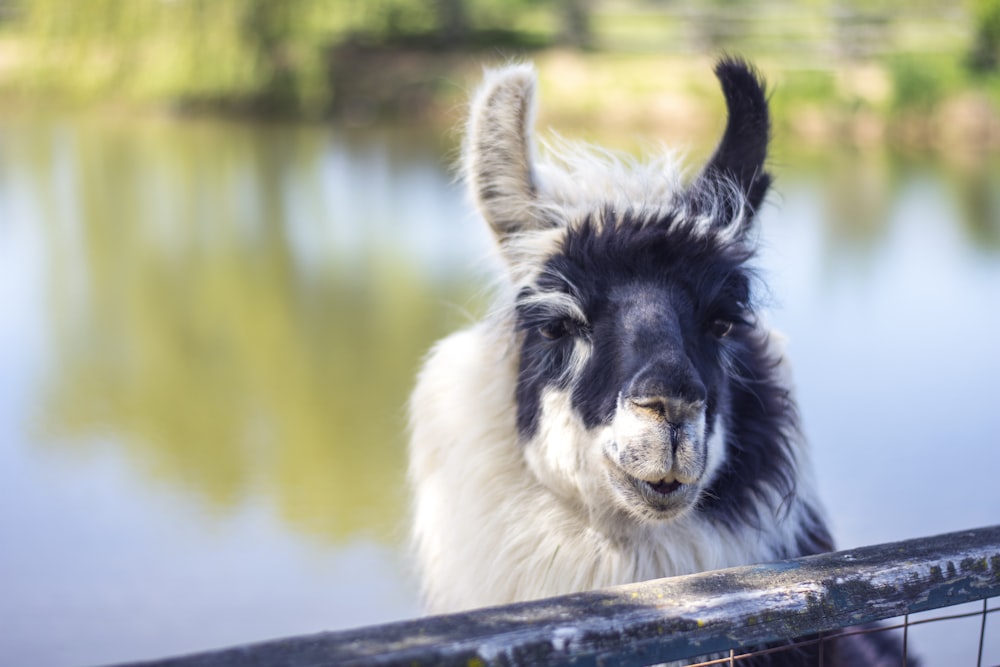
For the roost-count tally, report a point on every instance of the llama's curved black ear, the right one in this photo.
(738, 161)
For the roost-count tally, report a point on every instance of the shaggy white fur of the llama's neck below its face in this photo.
(488, 532)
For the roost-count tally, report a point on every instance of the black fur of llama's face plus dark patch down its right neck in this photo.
(655, 290)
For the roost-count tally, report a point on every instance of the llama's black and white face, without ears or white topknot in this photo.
(625, 336)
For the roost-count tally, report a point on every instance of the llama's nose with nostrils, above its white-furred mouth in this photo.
(666, 391)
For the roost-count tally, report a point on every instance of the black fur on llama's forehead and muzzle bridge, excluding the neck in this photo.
(646, 290)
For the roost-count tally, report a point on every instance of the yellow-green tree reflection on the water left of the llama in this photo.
(188, 328)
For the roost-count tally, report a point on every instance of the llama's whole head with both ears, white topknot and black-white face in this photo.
(632, 299)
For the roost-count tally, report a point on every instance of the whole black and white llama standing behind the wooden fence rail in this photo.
(623, 414)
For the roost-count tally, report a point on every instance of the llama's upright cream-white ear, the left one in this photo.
(497, 156)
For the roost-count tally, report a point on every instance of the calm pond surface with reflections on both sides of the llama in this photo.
(209, 332)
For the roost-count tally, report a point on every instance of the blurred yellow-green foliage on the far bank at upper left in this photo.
(251, 52)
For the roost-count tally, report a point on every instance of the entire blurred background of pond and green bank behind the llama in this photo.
(229, 230)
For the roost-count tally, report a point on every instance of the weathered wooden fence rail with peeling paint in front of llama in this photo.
(665, 619)
